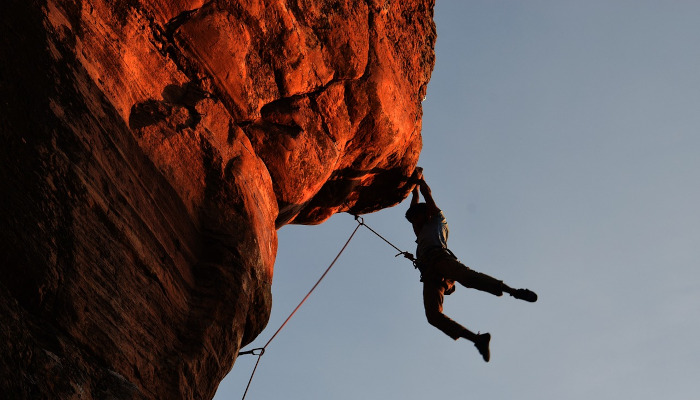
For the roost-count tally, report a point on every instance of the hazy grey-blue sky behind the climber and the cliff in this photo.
(561, 139)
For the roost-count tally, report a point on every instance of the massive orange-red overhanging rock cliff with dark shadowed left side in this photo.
(150, 150)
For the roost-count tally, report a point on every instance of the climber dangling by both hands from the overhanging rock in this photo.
(440, 268)
